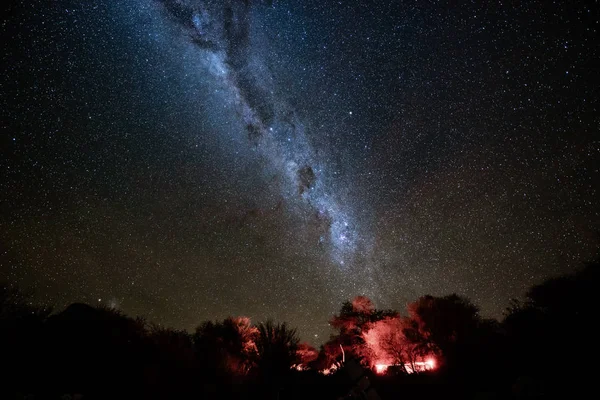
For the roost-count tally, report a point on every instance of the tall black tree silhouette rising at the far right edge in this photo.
(554, 329)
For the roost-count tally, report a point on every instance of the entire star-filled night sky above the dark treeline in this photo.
(189, 160)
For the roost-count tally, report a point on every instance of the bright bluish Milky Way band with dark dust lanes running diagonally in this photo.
(222, 30)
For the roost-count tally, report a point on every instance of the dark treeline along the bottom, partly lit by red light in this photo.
(546, 345)
